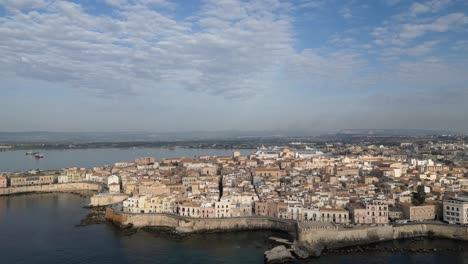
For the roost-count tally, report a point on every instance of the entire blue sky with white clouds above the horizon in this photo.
(214, 65)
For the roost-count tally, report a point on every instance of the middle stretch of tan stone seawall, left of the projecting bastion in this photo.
(188, 225)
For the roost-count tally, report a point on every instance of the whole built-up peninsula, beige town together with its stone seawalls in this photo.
(325, 197)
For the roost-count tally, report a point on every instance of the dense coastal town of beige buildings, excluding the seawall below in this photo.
(336, 184)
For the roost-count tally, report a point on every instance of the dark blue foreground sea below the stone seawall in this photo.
(41, 228)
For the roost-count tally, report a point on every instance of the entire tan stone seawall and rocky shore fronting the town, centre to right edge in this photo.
(308, 242)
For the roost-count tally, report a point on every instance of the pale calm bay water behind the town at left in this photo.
(17, 160)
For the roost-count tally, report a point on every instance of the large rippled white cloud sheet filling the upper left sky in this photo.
(239, 43)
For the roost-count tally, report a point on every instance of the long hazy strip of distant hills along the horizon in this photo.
(88, 137)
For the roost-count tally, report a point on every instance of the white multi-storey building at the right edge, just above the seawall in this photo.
(455, 210)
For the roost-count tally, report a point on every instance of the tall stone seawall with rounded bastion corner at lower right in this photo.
(314, 240)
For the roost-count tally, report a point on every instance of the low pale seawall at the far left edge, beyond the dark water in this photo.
(62, 187)
